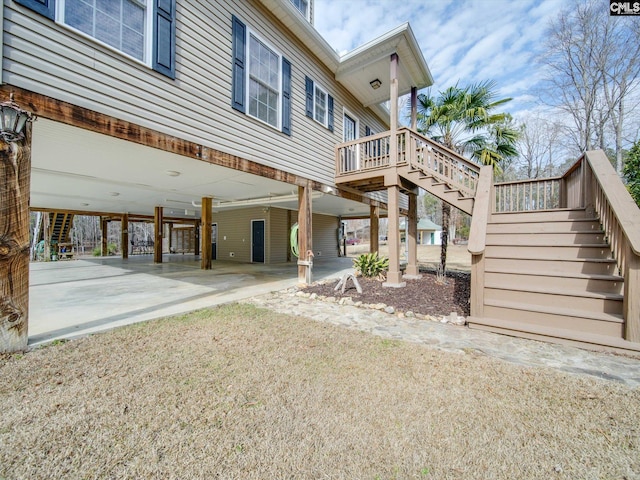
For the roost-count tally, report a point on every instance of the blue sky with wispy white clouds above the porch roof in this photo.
(464, 41)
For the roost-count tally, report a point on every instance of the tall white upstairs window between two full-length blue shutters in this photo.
(261, 79)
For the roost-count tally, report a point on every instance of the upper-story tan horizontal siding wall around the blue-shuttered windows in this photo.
(49, 59)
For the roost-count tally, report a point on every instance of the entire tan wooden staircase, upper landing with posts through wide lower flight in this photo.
(555, 259)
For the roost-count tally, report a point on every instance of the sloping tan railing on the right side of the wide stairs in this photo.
(602, 190)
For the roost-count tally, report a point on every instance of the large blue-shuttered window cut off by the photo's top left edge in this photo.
(141, 29)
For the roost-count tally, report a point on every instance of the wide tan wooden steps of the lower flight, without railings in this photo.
(554, 273)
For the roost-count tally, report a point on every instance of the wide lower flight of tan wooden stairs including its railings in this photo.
(558, 259)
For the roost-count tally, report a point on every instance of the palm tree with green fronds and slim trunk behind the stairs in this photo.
(465, 120)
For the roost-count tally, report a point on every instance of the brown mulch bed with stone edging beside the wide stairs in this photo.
(424, 296)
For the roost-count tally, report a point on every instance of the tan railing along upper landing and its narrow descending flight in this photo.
(420, 152)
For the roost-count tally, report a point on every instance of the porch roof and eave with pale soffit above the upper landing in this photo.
(356, 69)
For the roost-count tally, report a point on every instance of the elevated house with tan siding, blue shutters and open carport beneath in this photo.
(190, 113)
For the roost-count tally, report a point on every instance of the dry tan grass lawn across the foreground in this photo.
(241, 392)
